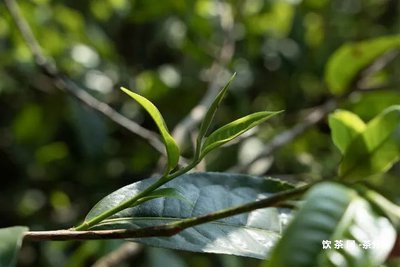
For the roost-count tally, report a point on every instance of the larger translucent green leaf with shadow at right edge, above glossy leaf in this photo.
(375, 149)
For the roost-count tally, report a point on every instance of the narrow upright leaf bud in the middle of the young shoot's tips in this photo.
(211, 113)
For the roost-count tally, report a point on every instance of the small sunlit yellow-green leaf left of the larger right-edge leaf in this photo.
(344, 125)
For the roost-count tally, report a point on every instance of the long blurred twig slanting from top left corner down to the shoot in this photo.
(67, 85)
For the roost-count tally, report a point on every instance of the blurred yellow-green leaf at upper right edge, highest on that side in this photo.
(344, 65)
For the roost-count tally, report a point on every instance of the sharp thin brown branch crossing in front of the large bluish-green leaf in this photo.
(166, 229)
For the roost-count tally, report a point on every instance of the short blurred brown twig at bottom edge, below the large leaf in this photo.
(128, 251)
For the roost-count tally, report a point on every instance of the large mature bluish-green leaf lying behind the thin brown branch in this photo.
(251, 234)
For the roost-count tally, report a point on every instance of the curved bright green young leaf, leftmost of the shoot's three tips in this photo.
(170, 144)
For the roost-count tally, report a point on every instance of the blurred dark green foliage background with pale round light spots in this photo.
(58, 157)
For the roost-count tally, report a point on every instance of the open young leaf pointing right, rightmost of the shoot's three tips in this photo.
(232, 130)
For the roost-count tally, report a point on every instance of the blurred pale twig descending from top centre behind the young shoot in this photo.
(195, 116)
